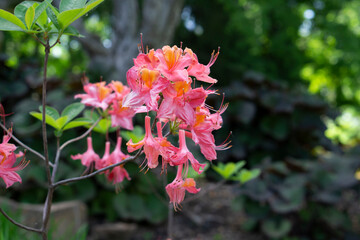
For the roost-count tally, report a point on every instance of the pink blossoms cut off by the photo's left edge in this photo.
(8, 159)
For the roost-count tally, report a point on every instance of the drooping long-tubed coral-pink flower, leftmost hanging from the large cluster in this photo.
(151, 146)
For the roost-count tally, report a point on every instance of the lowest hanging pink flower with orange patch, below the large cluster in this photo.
(176, 189)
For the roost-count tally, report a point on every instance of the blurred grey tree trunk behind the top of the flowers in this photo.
(156, 19)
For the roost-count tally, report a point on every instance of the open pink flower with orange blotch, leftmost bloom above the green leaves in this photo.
(97, 95)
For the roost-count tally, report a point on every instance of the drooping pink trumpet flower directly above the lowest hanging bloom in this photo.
(183, 155)
